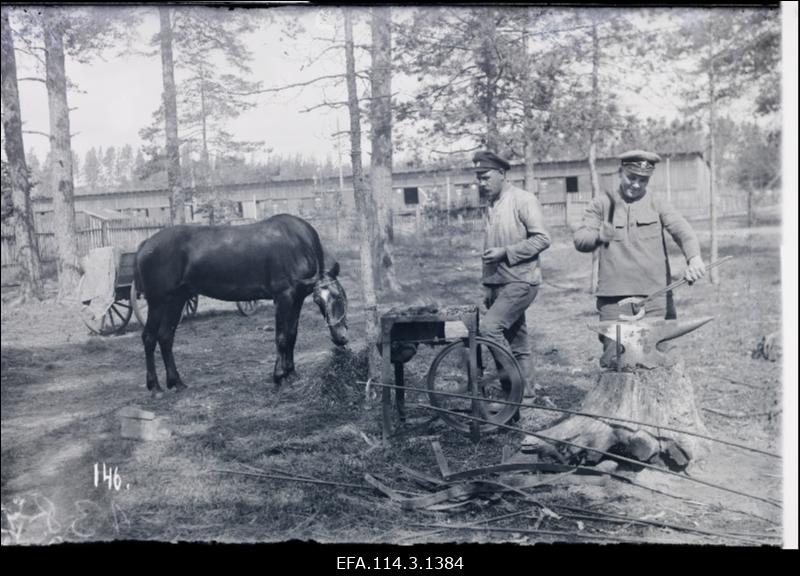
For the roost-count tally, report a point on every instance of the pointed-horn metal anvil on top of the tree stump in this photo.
(641, 341)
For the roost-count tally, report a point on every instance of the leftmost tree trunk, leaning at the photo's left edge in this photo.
(30, 269)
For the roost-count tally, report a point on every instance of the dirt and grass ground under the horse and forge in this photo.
(63, 389)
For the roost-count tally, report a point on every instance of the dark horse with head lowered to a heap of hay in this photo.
(279, 259)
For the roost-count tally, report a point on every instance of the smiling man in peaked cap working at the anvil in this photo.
(627, 228)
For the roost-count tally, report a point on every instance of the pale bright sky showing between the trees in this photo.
(117, 94)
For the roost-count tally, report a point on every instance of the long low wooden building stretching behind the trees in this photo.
(423, 201)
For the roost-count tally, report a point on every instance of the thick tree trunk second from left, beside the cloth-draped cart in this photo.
(61, 155)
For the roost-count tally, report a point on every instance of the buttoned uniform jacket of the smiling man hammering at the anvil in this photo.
(633, 263)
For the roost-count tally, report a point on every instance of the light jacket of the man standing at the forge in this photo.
(516, 223)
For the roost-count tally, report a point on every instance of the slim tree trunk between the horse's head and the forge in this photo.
(364, 204)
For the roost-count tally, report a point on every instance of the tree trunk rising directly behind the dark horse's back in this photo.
(177, 201)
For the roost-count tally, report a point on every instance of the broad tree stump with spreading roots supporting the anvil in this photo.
(661, 396)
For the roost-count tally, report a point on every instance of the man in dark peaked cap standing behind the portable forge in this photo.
(514, 237)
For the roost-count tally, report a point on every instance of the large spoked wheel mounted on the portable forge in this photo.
(498, 377)
